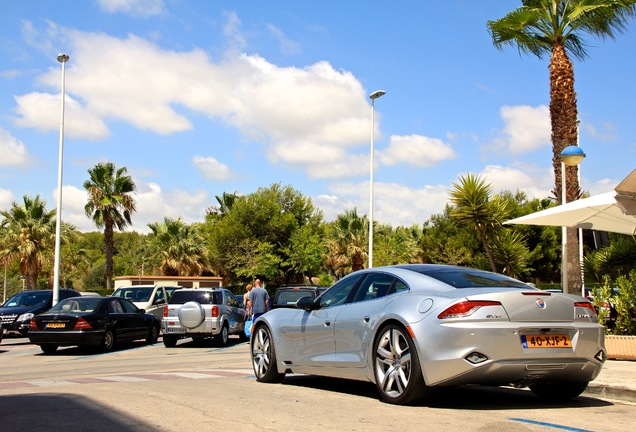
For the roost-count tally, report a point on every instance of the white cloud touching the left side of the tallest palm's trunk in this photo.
(526, 129)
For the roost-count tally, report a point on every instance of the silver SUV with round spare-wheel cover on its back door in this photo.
(202, 313)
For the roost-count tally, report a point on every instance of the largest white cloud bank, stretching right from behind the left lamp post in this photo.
(133, 80)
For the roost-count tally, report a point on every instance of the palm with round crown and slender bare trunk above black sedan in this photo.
(109, 204)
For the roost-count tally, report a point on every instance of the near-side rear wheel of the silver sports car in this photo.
(396, 366)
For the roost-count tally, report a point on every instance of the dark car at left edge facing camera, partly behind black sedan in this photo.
(17, 312)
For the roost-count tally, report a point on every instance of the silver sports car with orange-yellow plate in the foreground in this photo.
(411, 328)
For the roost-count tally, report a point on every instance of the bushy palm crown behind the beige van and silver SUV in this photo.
(180, 246)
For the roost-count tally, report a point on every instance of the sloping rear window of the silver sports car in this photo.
(470, 278)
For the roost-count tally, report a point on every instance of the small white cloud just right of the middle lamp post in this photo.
(416, 150)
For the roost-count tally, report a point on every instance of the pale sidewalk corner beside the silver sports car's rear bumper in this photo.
(617, 380)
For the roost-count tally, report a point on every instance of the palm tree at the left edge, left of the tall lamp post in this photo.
(29, 232)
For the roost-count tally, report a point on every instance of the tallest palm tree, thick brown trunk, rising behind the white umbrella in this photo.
(556, 27)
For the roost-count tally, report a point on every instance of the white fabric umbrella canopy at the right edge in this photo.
(612, 211)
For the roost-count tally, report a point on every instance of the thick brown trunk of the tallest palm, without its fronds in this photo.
(563, 117)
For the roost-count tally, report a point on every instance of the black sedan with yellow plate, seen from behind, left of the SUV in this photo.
(92, 322)
